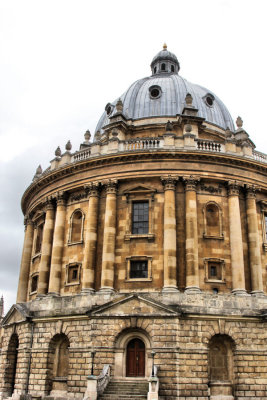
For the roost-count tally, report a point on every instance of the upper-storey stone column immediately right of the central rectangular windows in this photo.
(169, 244)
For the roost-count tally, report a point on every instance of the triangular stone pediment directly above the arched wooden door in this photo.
(133, 305)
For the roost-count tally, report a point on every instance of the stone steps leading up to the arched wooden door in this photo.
(125, 390)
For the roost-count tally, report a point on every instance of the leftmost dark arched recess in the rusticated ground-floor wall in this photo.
(10, 370)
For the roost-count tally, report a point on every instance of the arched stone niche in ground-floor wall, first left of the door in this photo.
(58, 363)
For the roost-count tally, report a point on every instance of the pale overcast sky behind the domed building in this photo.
(62, 61)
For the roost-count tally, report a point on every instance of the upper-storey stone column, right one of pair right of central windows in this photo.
(191, 233)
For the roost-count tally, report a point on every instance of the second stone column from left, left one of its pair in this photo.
(46, 248)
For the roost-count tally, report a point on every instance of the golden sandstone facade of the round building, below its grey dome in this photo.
(153, 235)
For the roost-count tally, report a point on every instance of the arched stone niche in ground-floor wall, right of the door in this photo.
(221, 369)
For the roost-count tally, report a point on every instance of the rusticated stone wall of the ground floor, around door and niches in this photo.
(177, 327)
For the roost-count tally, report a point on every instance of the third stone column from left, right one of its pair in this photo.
(58, 245)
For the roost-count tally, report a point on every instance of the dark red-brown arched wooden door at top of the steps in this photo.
(135, 358)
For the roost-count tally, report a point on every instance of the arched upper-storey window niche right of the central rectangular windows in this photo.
(212, 221)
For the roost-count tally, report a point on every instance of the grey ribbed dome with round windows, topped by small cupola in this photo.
(163, 94)
